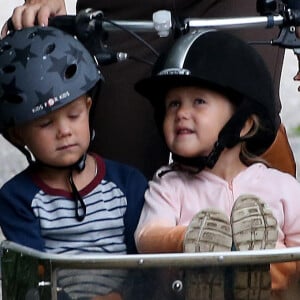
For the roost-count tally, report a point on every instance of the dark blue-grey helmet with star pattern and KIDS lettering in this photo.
(41, 70)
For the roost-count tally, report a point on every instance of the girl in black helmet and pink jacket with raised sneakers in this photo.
(213, 99)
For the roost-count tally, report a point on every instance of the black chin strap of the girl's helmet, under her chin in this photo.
(228, 137)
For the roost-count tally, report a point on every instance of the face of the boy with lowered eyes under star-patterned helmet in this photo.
(61, 137)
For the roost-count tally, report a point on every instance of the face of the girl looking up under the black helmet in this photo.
(194, 117)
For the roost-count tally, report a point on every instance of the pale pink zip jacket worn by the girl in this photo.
(176, 197)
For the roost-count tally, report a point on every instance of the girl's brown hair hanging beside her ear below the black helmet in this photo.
(246, 156)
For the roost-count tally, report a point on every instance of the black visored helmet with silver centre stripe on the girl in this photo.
(225, 63)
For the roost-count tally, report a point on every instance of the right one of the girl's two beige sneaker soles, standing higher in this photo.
(253, 228)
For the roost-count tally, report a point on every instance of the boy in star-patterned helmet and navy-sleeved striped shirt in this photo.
(68, 200)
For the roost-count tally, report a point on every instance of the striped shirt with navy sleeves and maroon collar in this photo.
(37, 216)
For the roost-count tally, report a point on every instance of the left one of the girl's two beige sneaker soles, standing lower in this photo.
(209, 231)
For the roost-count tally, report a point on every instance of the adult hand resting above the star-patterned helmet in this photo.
(35, 12)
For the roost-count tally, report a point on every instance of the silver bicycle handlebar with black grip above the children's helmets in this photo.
(91, 21)
